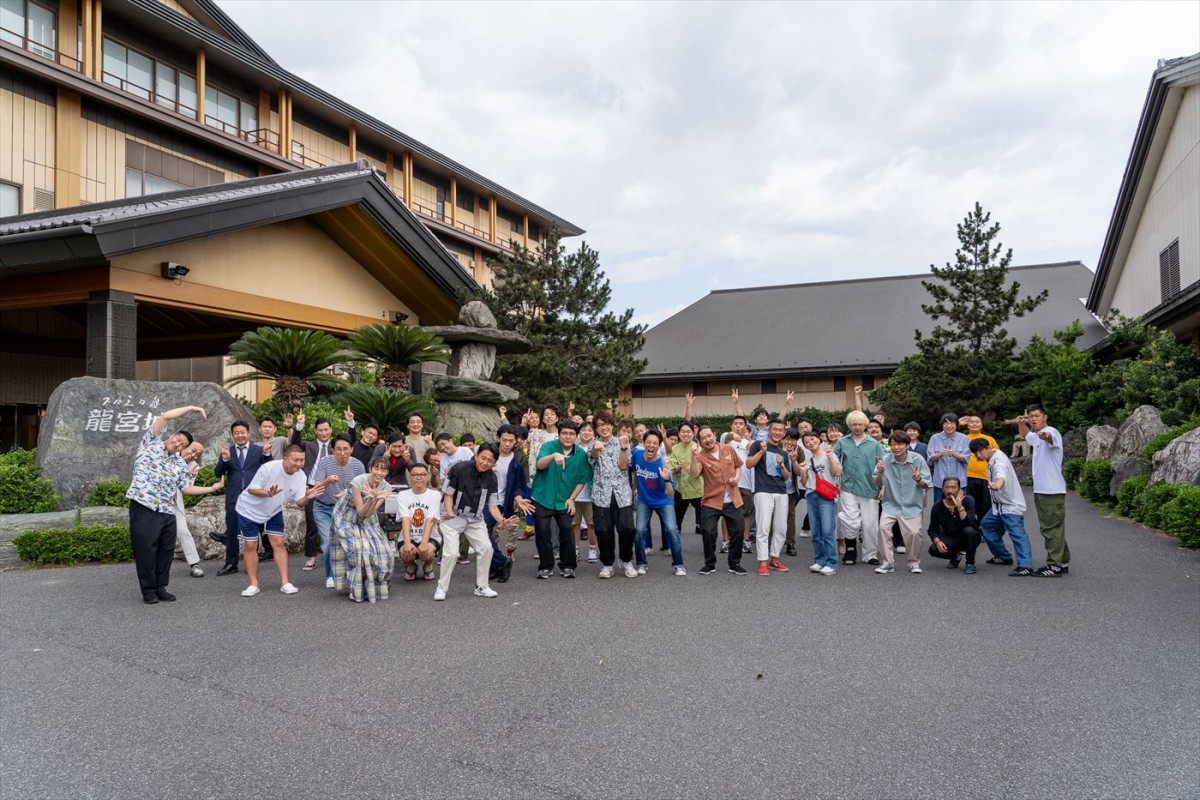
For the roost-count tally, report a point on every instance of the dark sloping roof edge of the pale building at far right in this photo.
(1159, 115)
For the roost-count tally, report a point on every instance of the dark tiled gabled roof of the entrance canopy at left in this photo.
(92, 234)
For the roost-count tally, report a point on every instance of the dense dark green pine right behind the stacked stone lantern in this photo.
(559, 300)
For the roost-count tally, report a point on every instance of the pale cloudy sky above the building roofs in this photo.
(710, 146)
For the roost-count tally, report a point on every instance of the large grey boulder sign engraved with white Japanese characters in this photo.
(93, 428)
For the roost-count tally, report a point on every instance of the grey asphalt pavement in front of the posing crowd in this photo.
(791, 687)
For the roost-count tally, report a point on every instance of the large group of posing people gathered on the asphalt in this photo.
(560, 478)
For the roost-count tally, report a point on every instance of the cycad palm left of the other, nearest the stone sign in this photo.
(291, 358)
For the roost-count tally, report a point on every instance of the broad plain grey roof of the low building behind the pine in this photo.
(837, 327)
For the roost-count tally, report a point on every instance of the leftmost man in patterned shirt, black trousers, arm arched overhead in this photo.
(159, 476)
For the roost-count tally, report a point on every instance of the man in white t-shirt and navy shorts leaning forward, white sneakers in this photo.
(261, 510)
